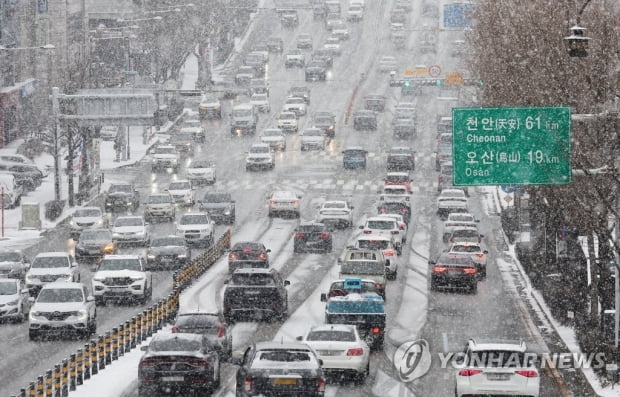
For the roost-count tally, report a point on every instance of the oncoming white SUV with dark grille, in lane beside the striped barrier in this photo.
(122, 277)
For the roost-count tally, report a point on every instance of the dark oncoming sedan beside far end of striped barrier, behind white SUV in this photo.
(169, 252)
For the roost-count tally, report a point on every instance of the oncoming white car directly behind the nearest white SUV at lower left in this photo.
(48, 267)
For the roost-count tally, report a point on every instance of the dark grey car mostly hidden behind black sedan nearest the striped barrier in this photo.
(211, 325)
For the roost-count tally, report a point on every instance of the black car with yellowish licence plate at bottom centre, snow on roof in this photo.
(279, 369)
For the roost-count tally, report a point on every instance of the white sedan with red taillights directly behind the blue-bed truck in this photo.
(341, 349)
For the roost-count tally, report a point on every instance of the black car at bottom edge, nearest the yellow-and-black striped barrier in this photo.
(184, 363)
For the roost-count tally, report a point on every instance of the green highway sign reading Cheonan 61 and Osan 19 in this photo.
(511, 146)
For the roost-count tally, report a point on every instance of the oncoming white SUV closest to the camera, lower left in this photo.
(63, 307)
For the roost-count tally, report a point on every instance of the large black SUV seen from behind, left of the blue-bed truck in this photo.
(260, 293)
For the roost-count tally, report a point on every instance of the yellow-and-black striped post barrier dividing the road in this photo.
(113, 344)
